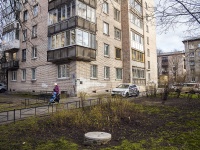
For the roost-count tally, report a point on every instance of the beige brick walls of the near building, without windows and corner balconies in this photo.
(79, 78)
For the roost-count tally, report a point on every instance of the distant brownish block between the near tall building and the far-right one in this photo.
(172, 65)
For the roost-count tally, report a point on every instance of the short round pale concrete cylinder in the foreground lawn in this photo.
(96, 138)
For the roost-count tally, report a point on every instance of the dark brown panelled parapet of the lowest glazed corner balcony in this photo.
(73, 53)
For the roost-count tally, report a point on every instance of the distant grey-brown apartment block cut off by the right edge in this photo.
(192, 59)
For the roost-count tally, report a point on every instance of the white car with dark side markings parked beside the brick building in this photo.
(126, 90)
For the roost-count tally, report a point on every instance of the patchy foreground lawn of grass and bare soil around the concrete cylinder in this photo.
(142, 123)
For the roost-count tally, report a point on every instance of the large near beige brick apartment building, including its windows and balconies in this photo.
(83, 45)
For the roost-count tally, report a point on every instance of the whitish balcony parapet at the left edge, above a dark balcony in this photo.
(11, 46)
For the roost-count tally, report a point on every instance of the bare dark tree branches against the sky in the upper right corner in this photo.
(171, 14)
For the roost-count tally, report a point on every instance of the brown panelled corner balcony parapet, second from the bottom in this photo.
(71, 23)
